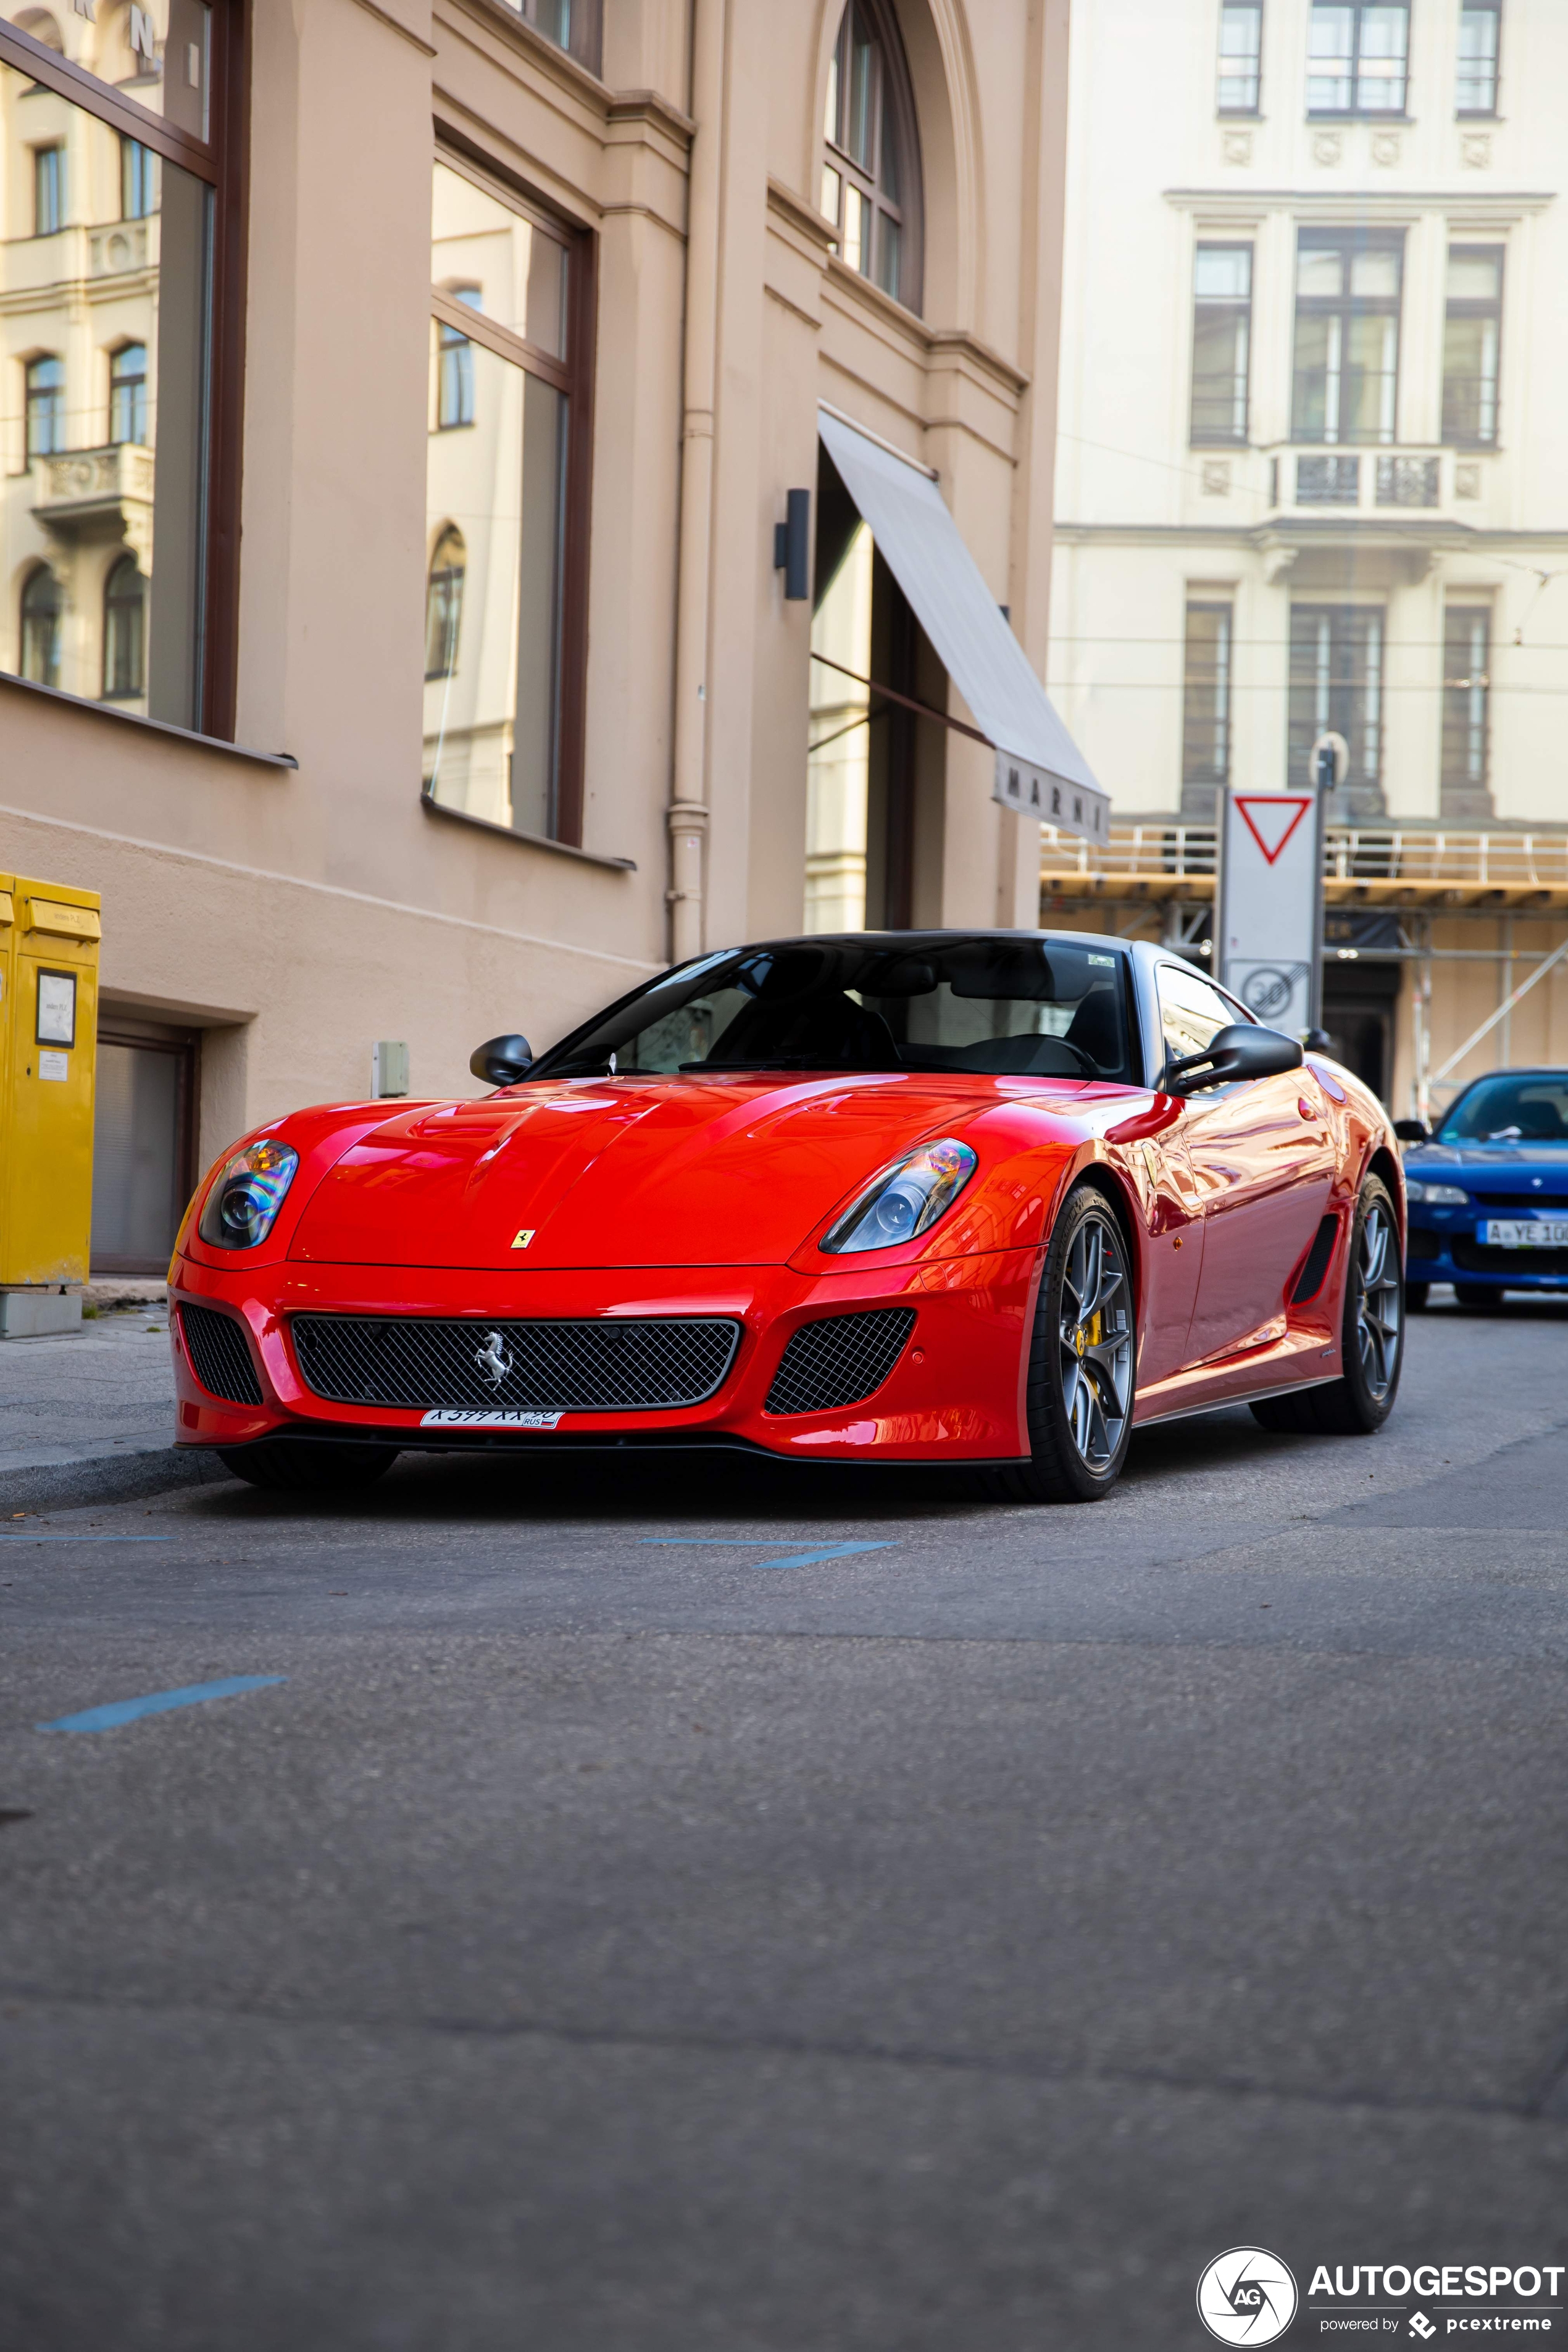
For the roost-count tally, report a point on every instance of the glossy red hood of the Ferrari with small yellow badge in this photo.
(624, 1172)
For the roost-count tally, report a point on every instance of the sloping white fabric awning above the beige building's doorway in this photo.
(1040, 770)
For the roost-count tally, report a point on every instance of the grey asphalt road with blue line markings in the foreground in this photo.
(612, 1932)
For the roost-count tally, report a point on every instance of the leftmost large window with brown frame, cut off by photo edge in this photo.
(130, 123)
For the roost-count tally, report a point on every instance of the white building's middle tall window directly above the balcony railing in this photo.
(1346, 338)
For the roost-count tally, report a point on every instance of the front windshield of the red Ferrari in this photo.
(1007, 1008)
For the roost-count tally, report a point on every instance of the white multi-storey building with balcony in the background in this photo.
(1311, 467)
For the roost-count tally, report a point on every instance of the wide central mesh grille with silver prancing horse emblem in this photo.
(556, 1368)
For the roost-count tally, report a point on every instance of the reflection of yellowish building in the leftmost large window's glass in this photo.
(105, 335)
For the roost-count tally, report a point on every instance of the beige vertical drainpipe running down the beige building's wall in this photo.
(688, 813)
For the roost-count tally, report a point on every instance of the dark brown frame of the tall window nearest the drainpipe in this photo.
(575, 377)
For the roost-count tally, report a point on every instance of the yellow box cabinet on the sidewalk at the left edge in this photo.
(48, 1060)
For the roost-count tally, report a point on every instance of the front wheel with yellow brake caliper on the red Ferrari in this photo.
(1083, 1361)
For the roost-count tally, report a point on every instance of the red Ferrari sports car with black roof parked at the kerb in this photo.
(977, 1198)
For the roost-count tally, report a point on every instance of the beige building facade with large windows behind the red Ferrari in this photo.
(398, 408)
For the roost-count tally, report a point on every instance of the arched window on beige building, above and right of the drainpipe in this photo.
(871, 171)
